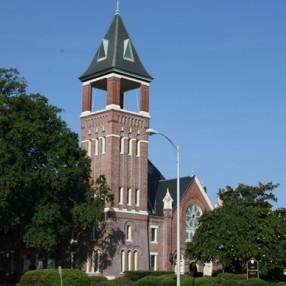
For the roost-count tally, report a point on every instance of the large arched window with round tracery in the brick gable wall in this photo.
(192, 216)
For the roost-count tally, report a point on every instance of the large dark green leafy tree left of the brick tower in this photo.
(44, 174)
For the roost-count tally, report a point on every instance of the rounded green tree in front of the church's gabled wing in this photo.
(245, 226)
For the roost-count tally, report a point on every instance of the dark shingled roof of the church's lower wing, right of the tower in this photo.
(157, 188)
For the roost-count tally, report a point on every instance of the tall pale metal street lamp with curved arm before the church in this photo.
(151, 132)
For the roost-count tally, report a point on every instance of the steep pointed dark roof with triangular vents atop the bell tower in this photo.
(116, 53)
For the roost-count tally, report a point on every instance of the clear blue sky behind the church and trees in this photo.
(219, 68)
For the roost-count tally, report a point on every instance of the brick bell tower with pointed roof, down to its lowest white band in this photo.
(115, 138)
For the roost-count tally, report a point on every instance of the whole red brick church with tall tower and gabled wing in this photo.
(141, 232)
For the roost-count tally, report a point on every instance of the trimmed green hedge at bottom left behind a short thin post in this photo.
(51, 277)
